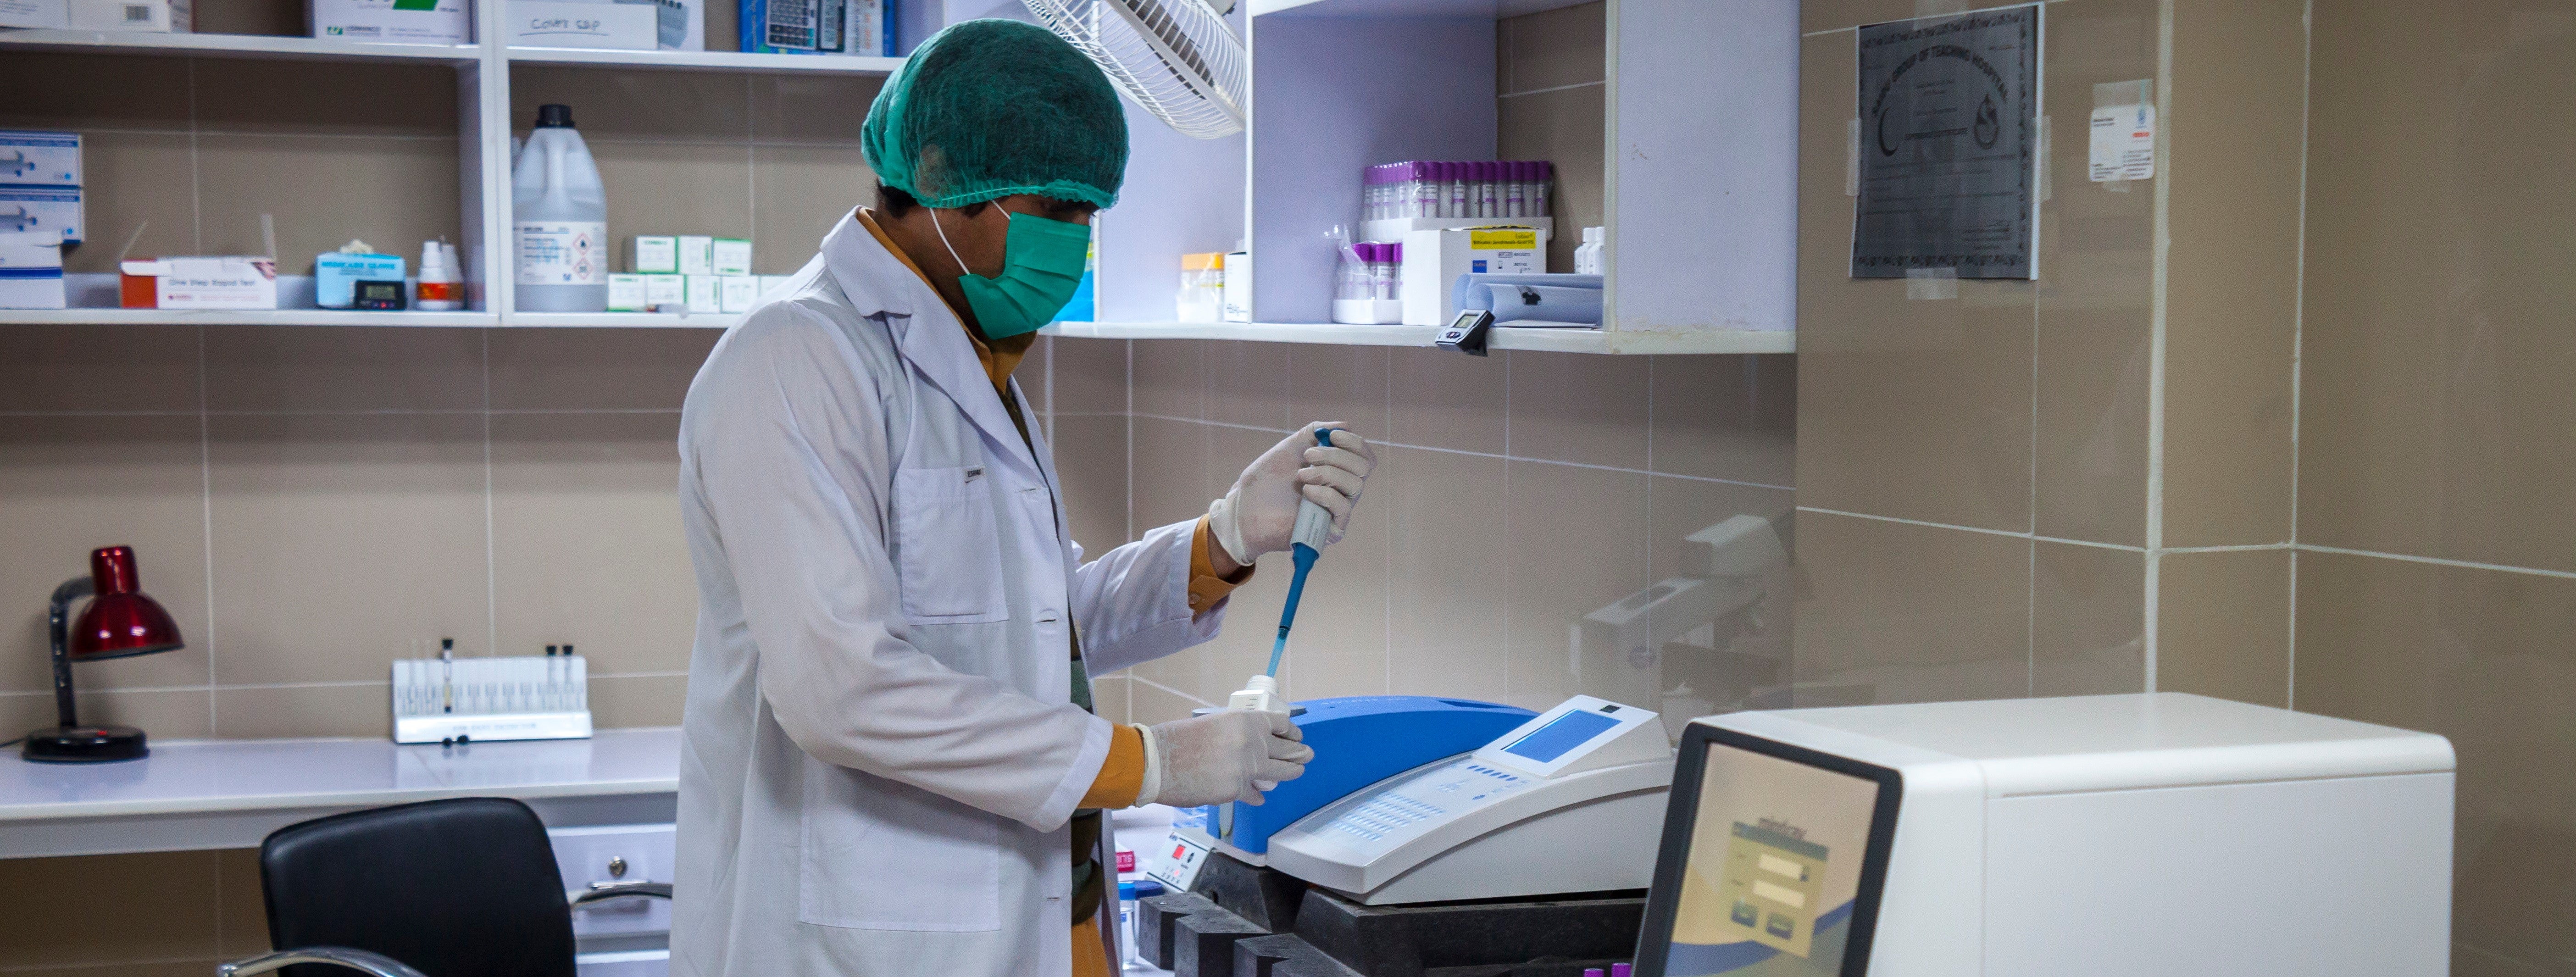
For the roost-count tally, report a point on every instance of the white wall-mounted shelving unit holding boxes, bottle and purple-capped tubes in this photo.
(1701, 166)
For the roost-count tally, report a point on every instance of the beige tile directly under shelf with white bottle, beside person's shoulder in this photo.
(596, 370)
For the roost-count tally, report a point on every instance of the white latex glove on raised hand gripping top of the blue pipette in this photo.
(1261, 509)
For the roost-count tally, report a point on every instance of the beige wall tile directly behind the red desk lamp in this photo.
(71, 486)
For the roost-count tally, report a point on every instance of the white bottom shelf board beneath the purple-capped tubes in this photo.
(1503, 339)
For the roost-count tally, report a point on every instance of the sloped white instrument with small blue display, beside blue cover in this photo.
(1565, 803)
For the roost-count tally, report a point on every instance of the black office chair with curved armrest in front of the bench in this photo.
(462, 888)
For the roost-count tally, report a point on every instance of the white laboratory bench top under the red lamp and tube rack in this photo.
(197, 795)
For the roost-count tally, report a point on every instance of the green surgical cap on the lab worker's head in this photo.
(988, 110)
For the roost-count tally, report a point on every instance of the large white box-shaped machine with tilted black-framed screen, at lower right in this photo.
(2103, 837)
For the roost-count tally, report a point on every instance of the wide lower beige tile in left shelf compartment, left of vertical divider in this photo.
(390, 192)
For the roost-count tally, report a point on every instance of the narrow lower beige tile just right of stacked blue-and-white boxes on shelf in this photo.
(135, 182)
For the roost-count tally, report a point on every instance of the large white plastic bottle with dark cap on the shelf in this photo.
(560, 220)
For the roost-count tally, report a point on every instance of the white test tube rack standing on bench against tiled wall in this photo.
(462, 700)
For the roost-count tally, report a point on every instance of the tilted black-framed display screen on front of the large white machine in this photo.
(1774, 862)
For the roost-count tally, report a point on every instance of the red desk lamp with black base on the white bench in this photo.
(120, 623)
